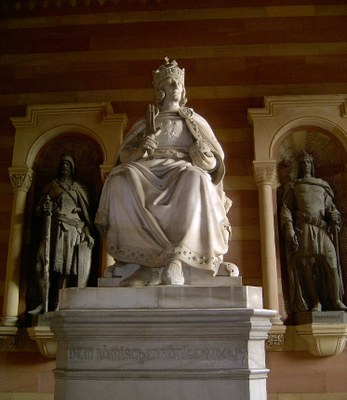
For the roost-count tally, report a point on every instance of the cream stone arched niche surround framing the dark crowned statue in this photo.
(285, 126)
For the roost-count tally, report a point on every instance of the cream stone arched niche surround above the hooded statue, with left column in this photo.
(41, 135)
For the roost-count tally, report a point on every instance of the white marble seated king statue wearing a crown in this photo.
(163, 205)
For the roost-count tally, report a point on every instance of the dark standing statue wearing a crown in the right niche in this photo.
(311, 223)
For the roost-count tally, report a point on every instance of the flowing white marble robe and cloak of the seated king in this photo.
(162, 207)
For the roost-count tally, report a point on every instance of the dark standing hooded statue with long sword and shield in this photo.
(64, 255)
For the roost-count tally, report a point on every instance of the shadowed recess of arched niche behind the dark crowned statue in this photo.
(330, 163)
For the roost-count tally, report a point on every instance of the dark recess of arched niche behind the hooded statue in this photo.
(88, 156)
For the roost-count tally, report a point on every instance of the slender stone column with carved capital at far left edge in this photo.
(21, 179)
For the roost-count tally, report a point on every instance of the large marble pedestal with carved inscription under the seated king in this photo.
(164, 342)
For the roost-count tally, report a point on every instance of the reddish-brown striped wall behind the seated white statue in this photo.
(234, 53)
